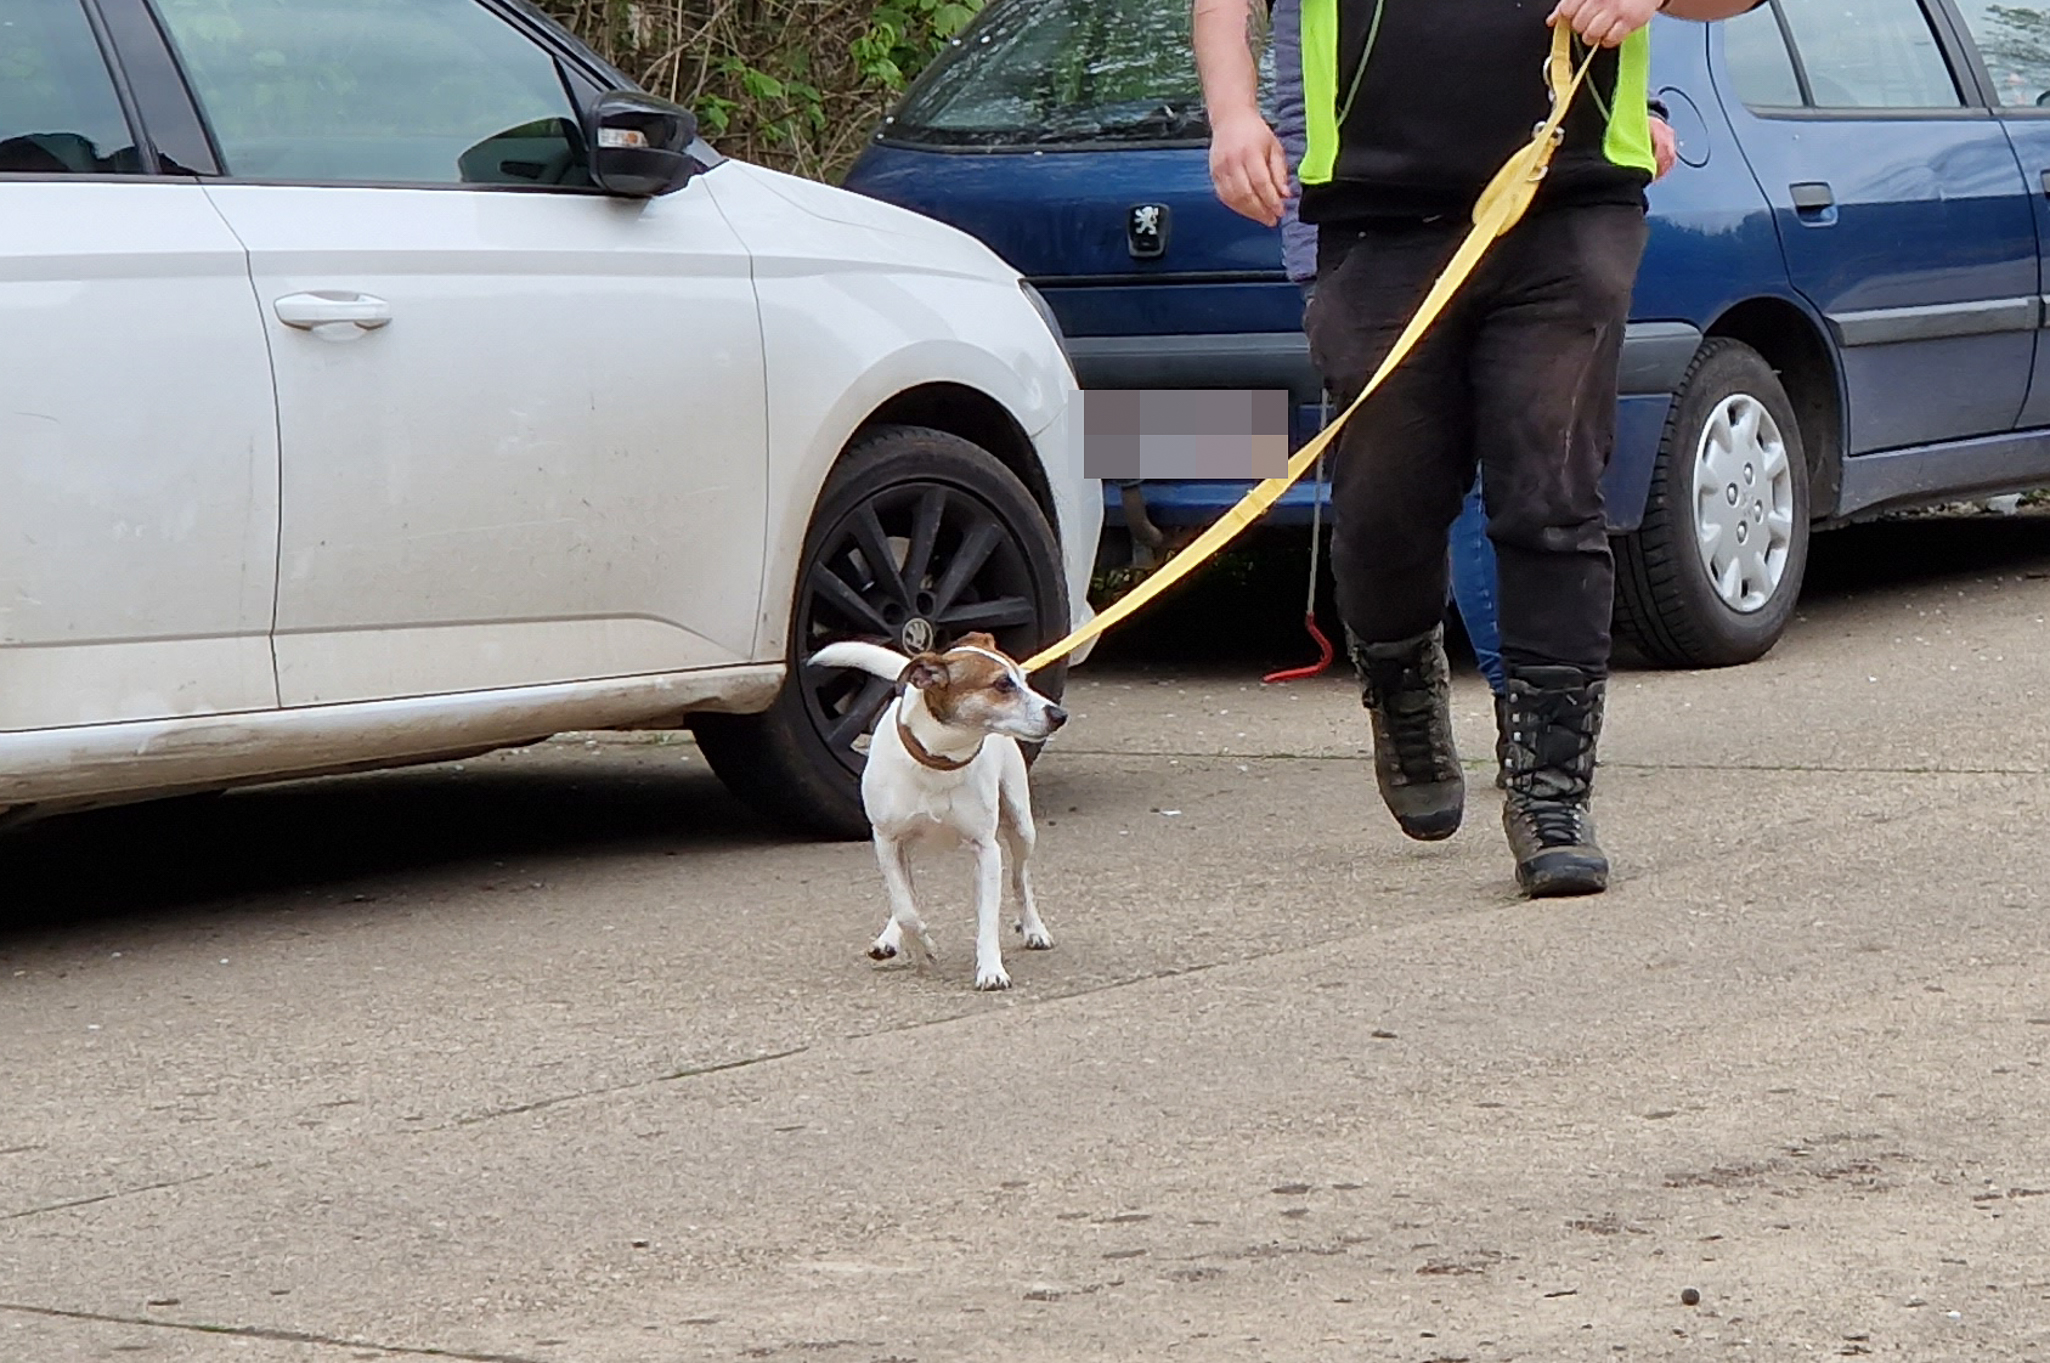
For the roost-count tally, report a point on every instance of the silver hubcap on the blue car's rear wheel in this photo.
(1744, 503)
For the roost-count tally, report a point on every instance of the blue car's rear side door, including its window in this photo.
(1901, 212)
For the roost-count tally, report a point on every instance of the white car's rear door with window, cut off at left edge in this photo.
(138, 436)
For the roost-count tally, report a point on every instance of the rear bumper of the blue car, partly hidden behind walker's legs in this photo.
(1655, 362)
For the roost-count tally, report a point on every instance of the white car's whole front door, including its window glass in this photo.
(522, 423)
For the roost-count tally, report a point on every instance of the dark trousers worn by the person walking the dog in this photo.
(1520, 378)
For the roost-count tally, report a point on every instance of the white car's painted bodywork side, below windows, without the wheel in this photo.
(565, 487)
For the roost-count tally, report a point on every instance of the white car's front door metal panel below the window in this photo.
(548, 464)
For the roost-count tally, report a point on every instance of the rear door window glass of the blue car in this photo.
(1871, 54)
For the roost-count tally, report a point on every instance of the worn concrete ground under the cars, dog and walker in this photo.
(559, 1057)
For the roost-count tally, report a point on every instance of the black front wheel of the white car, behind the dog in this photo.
(967, 550)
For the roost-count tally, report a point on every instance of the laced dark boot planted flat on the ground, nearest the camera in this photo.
(1551, 725)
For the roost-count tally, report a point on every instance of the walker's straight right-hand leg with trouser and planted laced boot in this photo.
(1545, 376)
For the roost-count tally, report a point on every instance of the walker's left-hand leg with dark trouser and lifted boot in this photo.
(1405, 462)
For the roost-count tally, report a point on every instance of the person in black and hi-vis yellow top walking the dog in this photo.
(1409, 110)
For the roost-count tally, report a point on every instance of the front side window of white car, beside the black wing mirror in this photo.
(378, 91)
